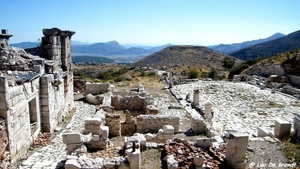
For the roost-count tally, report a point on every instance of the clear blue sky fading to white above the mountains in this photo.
(152, 22)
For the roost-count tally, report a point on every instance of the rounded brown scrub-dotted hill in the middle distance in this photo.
(197, 56)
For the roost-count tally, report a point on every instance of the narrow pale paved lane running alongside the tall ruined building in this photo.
(50, 157)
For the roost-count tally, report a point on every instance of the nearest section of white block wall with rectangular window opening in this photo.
(20, 108)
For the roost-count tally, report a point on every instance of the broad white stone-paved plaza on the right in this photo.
(242, 107)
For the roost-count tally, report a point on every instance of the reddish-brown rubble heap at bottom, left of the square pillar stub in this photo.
(187, 155)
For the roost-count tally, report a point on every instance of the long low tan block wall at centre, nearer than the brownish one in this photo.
(151, 124)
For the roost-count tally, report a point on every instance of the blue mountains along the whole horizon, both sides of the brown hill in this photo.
(269, 46)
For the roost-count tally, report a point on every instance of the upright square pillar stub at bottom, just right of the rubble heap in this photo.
(236, 150)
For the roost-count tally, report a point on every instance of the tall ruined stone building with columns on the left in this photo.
(36, 91)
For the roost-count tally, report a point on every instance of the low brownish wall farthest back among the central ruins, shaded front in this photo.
(128, 102)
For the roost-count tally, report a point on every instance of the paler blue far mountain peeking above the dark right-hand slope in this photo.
(229, 48)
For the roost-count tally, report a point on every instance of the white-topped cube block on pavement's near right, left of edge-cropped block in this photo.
(282, 128)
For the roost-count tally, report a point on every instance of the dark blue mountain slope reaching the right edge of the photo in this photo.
(270, 48)
